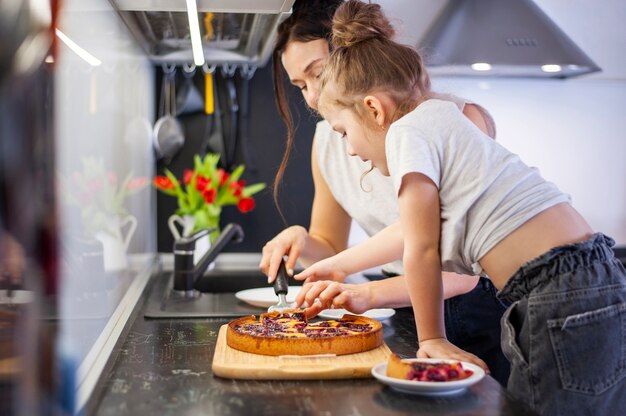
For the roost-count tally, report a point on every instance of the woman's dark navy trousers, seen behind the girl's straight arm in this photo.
(473, 324)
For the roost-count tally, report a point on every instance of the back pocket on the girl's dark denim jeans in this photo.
(590, 348)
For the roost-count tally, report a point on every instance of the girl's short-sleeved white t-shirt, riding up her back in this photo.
(485, 191)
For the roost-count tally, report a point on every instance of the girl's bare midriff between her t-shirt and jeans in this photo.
(556, 226)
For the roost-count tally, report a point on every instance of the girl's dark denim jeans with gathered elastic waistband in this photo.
(565, 331)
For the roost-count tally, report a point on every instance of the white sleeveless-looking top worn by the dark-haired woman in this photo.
(370, 201)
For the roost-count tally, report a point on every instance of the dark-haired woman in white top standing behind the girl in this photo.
(302, 48)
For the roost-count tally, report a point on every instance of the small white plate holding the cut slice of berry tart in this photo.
(430, 388)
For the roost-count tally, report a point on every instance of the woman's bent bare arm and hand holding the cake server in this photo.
(327, 235)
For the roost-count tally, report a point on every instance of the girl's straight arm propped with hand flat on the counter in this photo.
(420, 218)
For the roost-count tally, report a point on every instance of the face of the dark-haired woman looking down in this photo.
(304, 62)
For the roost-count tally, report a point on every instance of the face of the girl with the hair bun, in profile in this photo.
(363, 138)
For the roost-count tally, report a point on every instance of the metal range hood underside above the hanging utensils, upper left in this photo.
(234, 32)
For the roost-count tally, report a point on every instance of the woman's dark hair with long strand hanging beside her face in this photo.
(310, 20)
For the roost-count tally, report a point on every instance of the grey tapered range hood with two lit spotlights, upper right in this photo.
(500, 38)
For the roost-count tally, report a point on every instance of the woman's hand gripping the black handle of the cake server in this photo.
(289, 242)
